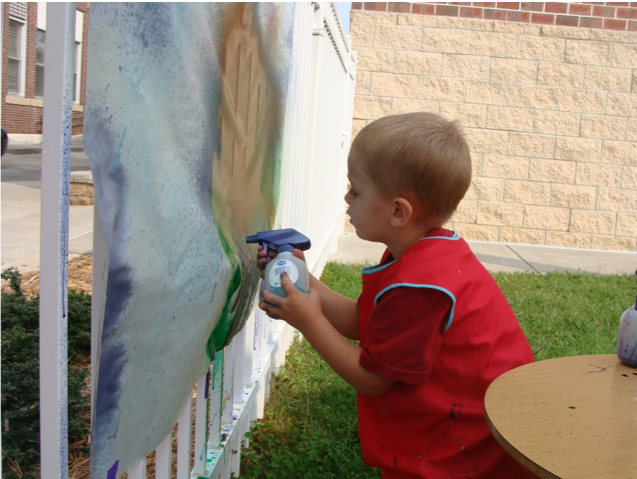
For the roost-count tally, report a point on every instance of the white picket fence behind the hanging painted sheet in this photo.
(230, 398)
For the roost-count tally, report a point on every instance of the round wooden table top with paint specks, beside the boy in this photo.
(568, 418)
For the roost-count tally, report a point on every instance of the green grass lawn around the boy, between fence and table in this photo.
(310, 429)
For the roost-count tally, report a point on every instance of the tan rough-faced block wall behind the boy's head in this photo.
(550, 113)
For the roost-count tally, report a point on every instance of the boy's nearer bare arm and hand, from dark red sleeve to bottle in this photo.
(303, 311)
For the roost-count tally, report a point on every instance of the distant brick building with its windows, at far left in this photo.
(24, 32)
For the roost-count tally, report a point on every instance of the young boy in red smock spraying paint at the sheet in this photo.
(434, 328)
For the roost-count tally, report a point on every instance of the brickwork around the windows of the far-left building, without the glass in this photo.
(26, 119)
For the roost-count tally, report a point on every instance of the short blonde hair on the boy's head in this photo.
(421, 154)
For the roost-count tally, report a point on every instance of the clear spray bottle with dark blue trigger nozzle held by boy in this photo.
(284, 242)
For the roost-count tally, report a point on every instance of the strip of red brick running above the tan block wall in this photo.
(620, 16)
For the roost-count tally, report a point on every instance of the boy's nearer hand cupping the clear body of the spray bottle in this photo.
(297, 309)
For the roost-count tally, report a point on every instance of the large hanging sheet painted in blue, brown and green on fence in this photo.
(183, 130)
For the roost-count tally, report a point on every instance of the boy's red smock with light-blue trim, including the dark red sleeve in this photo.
(431, 423)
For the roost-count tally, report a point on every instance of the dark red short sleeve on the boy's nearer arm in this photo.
(404, 333)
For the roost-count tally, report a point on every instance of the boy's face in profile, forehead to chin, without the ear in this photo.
(369, 212)
